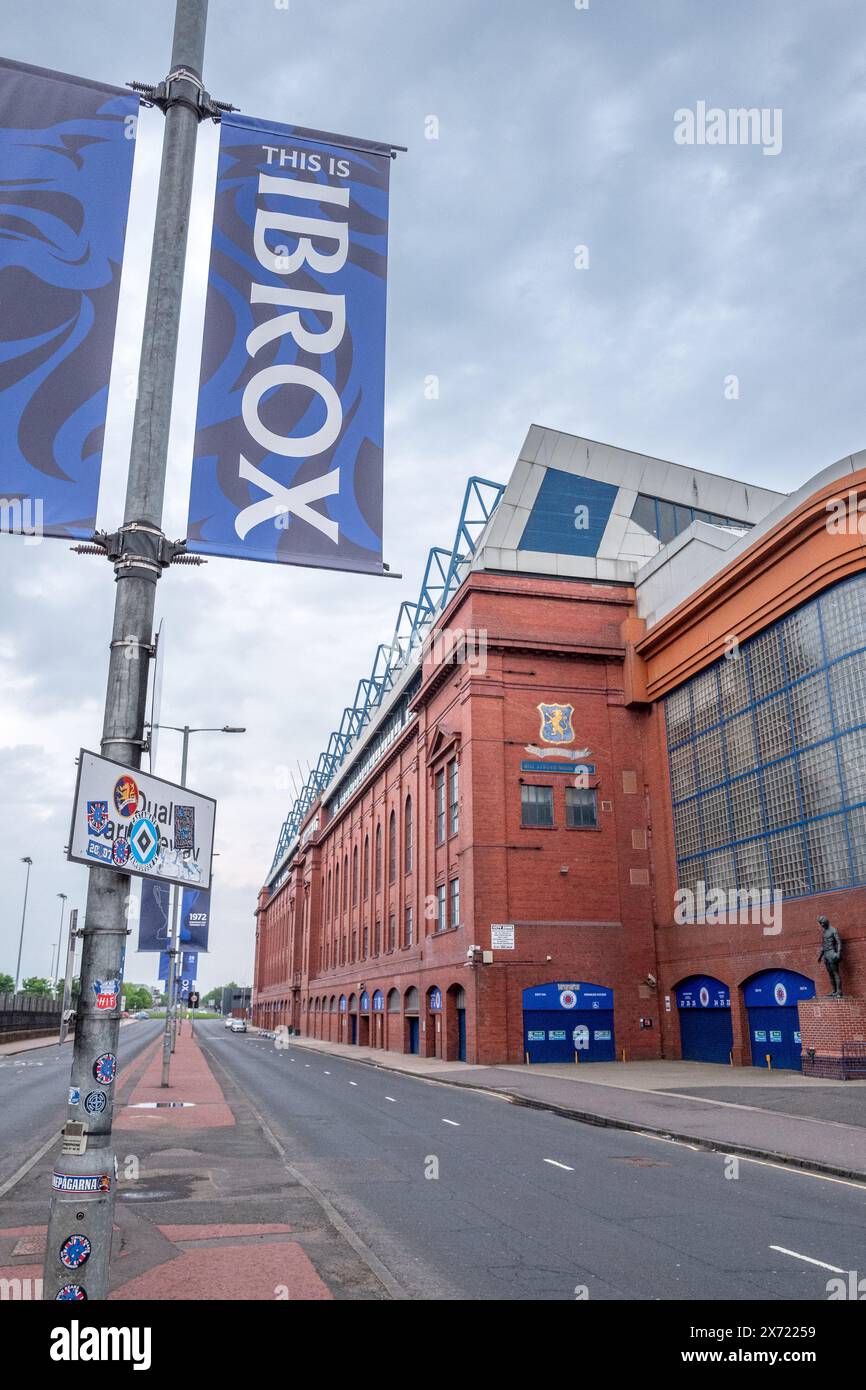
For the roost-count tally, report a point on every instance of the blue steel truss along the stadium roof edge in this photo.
(443, 576)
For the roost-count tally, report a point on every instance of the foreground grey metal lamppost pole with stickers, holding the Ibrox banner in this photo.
(84, 1185)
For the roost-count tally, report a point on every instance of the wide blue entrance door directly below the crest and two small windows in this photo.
(568, 1022)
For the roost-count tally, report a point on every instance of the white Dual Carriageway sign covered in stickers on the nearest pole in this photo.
(134, 824)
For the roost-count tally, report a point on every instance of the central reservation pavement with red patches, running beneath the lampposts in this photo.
(206, 1209)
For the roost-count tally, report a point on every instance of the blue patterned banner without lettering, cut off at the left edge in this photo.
(66, 169)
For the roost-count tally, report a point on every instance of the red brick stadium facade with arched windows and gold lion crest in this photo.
(379, 926)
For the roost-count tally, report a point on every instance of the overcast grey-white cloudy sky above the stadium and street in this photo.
(555, 131)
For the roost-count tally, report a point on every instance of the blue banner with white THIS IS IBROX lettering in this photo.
(288, 455)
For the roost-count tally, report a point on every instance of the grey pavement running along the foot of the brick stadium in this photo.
(779, 1117)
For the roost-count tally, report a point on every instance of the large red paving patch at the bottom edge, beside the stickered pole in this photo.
(241, 1274)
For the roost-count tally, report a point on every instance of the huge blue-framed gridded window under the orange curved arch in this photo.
(768, 757)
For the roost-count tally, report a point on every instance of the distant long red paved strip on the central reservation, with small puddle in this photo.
(193, 1081)
